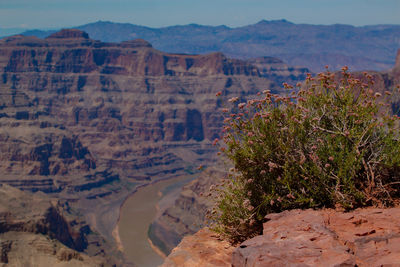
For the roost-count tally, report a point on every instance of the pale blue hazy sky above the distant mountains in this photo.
(158, 13)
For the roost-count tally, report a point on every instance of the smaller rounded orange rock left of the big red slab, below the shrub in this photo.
(202, 249)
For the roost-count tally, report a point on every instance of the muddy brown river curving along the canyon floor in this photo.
(136, 214)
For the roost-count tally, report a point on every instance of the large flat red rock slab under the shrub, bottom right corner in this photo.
(364, 237)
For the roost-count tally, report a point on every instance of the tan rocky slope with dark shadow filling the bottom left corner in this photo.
(38, 231)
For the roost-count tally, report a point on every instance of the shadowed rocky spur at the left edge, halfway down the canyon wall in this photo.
(42, 154)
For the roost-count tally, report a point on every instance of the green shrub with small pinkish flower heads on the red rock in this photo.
(332, 142)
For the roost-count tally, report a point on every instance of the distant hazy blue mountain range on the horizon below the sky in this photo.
(314, 46)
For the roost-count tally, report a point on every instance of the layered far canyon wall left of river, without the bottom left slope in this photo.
(88, 122)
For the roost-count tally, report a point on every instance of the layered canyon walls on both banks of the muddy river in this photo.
(84, 124)
